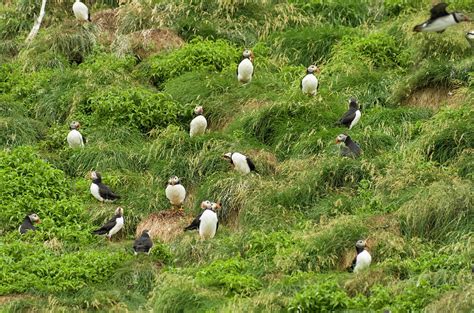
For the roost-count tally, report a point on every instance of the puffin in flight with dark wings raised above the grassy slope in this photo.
(440, 19)
